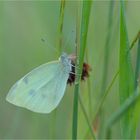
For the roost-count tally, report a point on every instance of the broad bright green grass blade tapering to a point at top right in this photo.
(126, 79)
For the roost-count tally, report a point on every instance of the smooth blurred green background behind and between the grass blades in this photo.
(22, 26)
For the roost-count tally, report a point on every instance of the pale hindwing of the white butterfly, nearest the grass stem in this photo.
(49, 95)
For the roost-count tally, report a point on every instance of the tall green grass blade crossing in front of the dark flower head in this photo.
(80, 58)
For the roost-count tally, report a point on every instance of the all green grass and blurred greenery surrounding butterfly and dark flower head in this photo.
(109, 101)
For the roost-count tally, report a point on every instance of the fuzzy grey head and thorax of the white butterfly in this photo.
(66, 61)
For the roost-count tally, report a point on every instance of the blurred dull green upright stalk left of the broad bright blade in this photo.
(106, 62)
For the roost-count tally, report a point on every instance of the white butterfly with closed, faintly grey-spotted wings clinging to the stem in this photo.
(42, 89)
